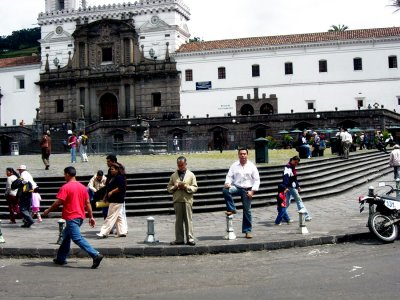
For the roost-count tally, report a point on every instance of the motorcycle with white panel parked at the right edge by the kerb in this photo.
(384, 213)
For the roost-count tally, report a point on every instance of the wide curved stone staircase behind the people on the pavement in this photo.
(147, 195)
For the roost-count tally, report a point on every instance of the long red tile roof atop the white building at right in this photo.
(290, 39)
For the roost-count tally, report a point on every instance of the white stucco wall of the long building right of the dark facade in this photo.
(340, 87)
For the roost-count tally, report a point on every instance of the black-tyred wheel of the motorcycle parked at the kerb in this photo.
(376, 224)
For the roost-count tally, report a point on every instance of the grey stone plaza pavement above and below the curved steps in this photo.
(335, 219)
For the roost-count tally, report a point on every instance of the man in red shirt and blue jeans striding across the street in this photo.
(73, 196)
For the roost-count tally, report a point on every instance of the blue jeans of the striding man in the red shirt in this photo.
(72, 232)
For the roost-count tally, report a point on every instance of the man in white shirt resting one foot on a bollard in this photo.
(242, 180)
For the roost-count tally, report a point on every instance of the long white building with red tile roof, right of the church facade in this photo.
(305, 72)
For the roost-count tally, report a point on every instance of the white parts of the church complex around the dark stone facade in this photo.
(326, 71)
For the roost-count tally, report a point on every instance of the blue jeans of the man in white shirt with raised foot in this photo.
(230, 205)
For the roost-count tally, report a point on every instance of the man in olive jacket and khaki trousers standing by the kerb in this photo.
(182, 185)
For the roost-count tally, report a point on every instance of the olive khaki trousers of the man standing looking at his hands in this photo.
(183, 216)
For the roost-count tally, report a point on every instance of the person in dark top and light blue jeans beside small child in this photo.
(290, 182)
